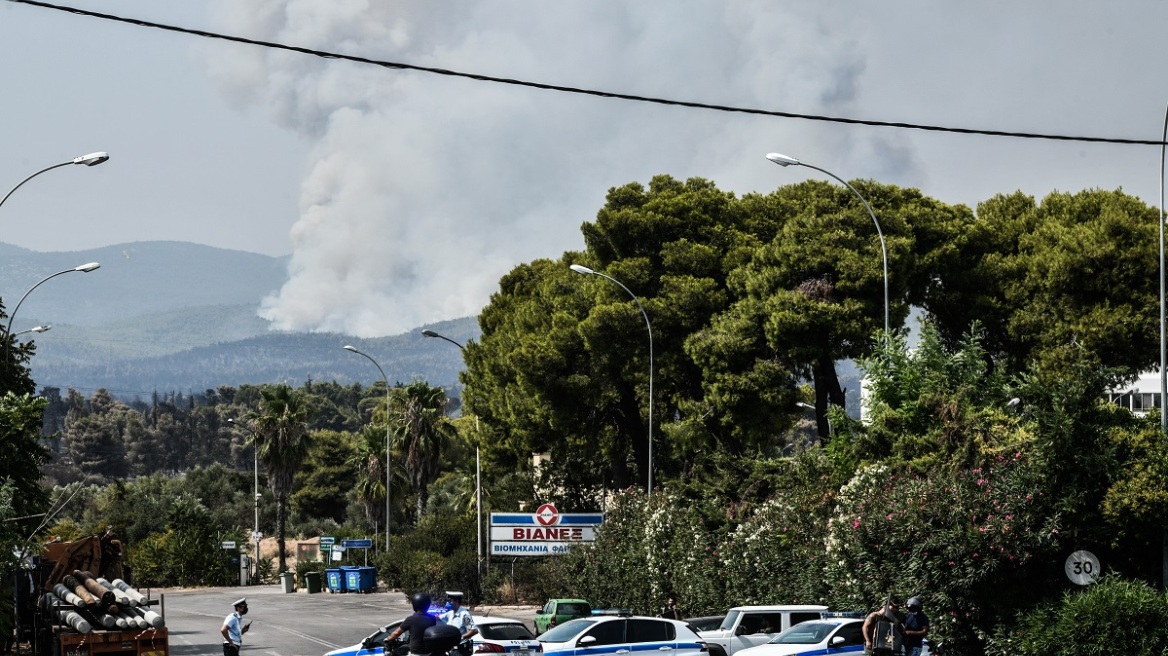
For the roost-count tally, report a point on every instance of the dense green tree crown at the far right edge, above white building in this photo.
(1076, 269)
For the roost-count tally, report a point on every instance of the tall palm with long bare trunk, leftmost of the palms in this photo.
(282, 435)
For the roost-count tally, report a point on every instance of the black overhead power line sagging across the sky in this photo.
(596, 93)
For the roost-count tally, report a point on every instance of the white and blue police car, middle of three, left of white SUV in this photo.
(622, 634)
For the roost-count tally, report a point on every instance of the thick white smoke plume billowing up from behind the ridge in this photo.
(425, 191)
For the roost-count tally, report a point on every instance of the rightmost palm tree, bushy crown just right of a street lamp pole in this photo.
(419, 421)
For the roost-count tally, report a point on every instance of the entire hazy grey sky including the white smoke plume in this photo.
(404, 197)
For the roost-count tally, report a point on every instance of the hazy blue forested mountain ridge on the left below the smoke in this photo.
(163, 317)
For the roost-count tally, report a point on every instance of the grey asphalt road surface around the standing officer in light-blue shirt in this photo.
(286, 624)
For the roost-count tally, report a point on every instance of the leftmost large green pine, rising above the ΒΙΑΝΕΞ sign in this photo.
(564, 364)
